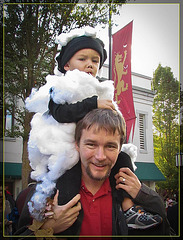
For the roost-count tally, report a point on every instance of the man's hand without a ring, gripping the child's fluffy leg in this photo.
(63, 216)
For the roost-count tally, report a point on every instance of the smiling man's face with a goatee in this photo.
(98, 153)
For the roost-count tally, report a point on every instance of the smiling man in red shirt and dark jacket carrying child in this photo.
(89, 198)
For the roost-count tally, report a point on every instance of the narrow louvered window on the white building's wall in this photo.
(142, 131)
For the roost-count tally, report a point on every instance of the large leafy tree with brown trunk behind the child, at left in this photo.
(29, 40)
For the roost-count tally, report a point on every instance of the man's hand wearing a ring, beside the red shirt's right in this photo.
(128, 181)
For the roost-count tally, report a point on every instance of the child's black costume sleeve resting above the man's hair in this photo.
(67, 113)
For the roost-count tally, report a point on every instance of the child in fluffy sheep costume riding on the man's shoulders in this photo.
(50, 151)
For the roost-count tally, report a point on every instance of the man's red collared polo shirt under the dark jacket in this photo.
(97, 210)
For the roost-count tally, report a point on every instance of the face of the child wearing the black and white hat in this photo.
(86, 60)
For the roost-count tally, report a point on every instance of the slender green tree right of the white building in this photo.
(165, 121)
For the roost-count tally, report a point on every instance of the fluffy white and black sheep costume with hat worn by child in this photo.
(65, 98)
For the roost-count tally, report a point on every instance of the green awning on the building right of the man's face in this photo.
(148, 172)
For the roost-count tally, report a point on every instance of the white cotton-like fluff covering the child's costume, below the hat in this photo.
(51, 144)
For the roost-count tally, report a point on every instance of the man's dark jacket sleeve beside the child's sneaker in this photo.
(152, 202)
